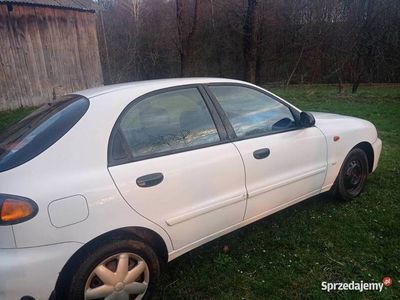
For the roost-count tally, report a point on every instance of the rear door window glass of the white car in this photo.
(168, 121)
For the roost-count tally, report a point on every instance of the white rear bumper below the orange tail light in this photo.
(33, 271)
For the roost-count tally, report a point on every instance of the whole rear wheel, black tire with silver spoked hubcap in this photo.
(122, 269)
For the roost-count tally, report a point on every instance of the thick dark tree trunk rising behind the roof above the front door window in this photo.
(250, 42)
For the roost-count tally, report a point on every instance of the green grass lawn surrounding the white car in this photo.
(288, 254)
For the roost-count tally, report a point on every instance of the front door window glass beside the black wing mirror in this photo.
(251, 112)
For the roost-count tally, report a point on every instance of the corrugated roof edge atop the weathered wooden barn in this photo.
(81, 5)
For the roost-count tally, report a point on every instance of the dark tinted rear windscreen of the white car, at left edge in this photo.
(38, 131)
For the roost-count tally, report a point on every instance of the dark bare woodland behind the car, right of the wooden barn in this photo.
(286, 41)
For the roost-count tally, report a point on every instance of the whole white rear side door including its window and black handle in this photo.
(170, 160)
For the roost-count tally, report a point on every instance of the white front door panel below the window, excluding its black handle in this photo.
(296, 166)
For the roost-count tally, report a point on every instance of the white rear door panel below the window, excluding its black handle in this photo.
(203, 191)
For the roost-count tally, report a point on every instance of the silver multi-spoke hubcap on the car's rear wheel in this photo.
(122, 276)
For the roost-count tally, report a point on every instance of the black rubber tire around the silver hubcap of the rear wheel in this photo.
(75, 288)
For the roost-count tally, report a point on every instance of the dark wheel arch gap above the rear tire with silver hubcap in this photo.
(148, 236)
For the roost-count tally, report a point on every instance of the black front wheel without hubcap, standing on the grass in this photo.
(352, 176)
